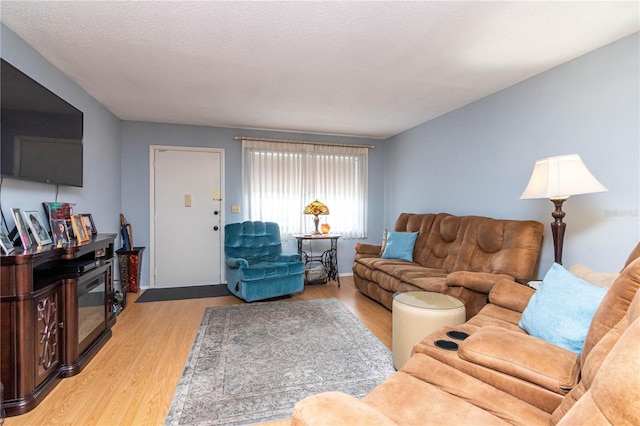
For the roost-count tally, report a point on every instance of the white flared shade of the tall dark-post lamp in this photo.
(561, 177)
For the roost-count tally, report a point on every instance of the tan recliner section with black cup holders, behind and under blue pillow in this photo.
(500, 353)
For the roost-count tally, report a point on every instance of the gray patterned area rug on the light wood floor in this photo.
(251, 363)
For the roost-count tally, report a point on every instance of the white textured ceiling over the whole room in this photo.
(371, 69)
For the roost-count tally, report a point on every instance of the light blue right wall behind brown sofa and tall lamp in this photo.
(478, 159)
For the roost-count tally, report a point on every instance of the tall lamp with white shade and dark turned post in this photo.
(557, 178)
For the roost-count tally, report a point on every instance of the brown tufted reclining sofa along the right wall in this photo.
(463, 256)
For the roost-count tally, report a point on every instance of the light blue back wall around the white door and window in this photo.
(138, 136)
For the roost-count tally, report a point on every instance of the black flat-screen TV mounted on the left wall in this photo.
(41, 133)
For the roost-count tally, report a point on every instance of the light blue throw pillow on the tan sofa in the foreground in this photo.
(562, 308)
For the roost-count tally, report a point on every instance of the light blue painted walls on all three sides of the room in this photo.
(475, 160)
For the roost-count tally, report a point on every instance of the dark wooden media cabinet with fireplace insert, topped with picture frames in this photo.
(56, 312)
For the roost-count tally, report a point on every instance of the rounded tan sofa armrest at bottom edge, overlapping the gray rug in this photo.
(336, 408)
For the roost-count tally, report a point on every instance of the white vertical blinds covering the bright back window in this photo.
(280, 179)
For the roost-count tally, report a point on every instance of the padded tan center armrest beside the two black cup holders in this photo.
(522, 356)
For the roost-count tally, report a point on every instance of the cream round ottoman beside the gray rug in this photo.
(415, 314)
